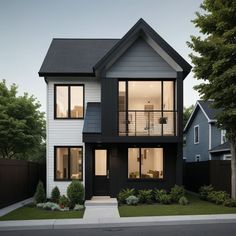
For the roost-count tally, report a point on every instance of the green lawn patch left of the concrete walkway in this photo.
(33, 213)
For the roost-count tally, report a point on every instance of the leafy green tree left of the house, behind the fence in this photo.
(22, 125)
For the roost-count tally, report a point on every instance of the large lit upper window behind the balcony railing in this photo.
(147, 108)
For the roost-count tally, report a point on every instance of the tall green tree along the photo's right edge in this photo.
(215, 64)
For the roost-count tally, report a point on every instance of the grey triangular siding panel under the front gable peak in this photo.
(141, 61)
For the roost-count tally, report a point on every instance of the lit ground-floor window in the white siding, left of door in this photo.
(68, 163)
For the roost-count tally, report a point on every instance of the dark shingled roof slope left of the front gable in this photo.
(74, 56)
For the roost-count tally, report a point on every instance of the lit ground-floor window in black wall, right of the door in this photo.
(145, 163)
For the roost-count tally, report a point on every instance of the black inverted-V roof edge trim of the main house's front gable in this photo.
(141, 28)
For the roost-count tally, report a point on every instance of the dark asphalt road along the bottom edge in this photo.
(218, 229)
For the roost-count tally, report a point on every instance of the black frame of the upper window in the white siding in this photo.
(69, 101)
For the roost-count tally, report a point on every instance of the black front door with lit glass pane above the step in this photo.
(101, 172)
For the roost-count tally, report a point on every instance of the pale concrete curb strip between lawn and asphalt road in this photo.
(120, 222)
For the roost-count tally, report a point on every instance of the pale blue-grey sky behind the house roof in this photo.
(28, 26)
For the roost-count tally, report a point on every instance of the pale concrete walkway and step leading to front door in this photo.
(101, 207)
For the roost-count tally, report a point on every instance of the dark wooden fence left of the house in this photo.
(18, 180)
